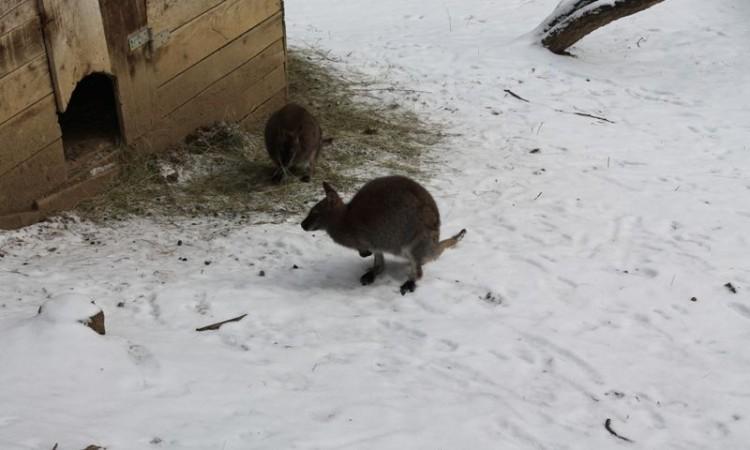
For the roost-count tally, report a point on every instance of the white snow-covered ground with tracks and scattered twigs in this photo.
(568, 302)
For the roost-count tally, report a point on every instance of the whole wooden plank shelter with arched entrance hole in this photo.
(80, 79)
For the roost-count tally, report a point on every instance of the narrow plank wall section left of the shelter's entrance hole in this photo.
(32, 161)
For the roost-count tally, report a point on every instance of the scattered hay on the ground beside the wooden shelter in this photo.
(223, 170)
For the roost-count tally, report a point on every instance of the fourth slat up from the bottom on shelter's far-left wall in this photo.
(22, 44)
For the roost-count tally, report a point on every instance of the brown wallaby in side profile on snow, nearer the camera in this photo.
(393, 215)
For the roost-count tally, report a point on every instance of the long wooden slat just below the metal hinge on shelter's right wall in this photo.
(209, 32)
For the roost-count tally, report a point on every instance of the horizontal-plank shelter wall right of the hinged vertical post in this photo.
(224, 64)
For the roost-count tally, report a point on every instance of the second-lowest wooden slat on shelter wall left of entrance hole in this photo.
(27, 133)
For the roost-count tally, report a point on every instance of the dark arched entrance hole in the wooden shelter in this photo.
(90, 125)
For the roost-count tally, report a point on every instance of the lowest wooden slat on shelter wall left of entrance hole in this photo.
(36, 177)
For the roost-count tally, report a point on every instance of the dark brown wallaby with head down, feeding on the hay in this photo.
(293, 140)
